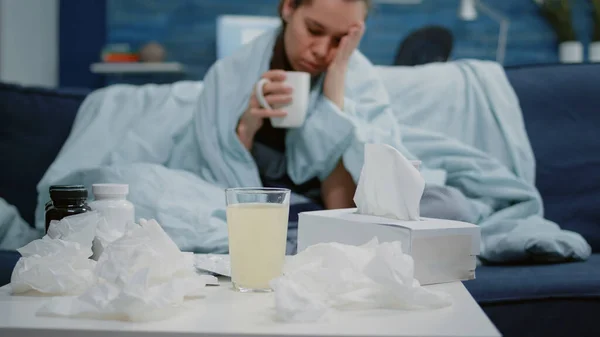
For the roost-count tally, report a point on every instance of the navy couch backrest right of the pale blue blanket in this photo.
(561, 108)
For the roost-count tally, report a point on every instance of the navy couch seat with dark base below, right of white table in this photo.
(541, 300)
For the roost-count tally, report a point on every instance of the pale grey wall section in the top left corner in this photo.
(29, 42)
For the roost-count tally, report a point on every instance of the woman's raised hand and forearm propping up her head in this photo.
(333, 87)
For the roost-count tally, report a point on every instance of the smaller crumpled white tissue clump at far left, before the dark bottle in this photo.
(58, 263)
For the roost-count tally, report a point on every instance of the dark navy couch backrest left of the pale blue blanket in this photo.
(35, 122)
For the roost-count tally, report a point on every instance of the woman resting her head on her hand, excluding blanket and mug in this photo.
(317, 37)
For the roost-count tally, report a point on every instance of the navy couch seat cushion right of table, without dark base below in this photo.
(494, 284)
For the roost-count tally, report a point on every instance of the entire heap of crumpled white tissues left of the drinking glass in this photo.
(140, 276)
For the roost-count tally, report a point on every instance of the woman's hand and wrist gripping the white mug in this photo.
(276, 93)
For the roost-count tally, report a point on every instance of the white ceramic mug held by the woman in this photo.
(296, 110)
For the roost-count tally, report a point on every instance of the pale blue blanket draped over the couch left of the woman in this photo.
(127, 134)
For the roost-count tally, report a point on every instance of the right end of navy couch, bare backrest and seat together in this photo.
(561, 108)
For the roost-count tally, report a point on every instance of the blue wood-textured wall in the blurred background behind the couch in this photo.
(188, 28)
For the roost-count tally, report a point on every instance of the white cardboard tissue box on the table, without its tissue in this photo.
(443, 250)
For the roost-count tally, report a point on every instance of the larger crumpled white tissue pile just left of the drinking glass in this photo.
(141, 276)
